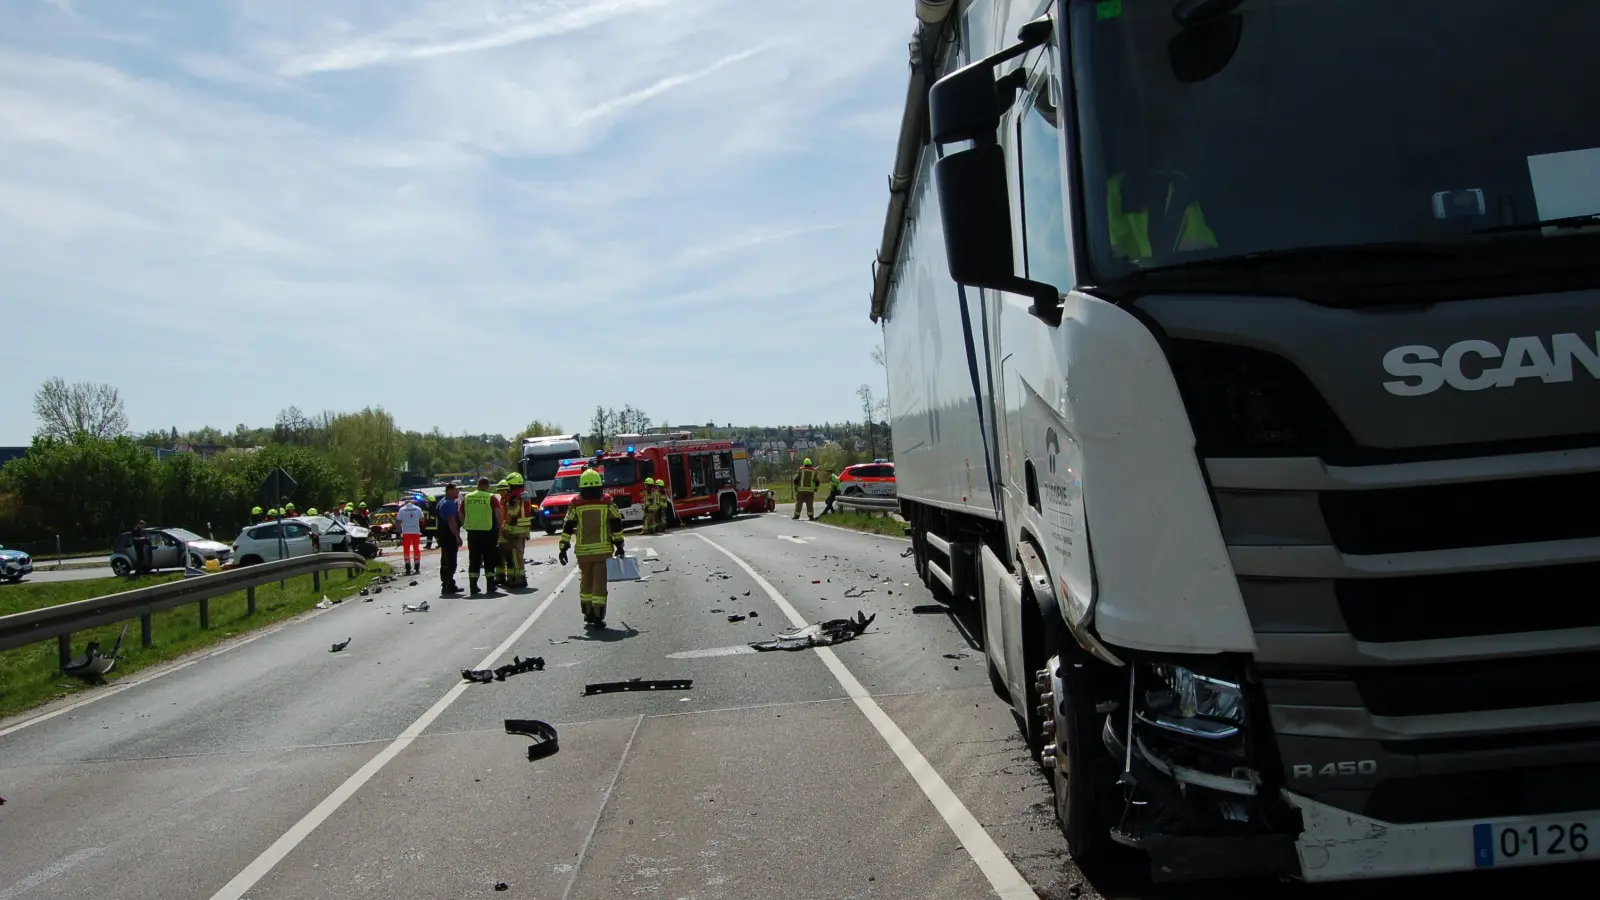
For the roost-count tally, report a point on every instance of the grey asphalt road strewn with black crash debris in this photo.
(278, 769)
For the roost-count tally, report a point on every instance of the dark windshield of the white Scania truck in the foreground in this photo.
(1335, 124)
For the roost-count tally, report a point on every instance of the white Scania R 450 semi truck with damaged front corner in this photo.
(1246, 371)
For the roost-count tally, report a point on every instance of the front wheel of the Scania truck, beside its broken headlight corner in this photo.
(1076, 761)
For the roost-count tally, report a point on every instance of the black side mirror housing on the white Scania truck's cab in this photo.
(975, 204)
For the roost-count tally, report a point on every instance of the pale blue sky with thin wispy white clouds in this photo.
(470, 212)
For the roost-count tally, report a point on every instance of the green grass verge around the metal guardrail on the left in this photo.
(30, 677)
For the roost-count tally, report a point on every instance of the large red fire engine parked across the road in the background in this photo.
(705, 478)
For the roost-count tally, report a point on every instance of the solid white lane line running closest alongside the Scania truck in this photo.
(1007, 883)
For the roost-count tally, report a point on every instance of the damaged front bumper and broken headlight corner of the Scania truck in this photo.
(1199, 806)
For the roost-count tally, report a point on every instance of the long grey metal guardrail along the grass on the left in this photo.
(60, 622)
